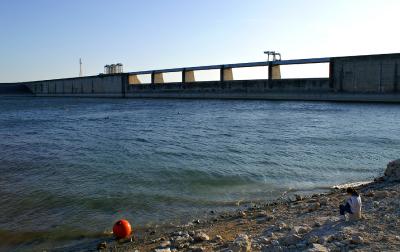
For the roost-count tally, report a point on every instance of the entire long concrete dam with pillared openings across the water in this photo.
(367, 78)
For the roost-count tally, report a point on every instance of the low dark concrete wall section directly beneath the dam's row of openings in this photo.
(239, 89)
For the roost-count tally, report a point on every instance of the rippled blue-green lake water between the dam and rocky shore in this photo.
(71, 167)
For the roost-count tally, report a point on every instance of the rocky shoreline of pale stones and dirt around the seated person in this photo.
(292, 224)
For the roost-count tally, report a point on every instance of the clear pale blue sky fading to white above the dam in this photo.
(44, 39)
